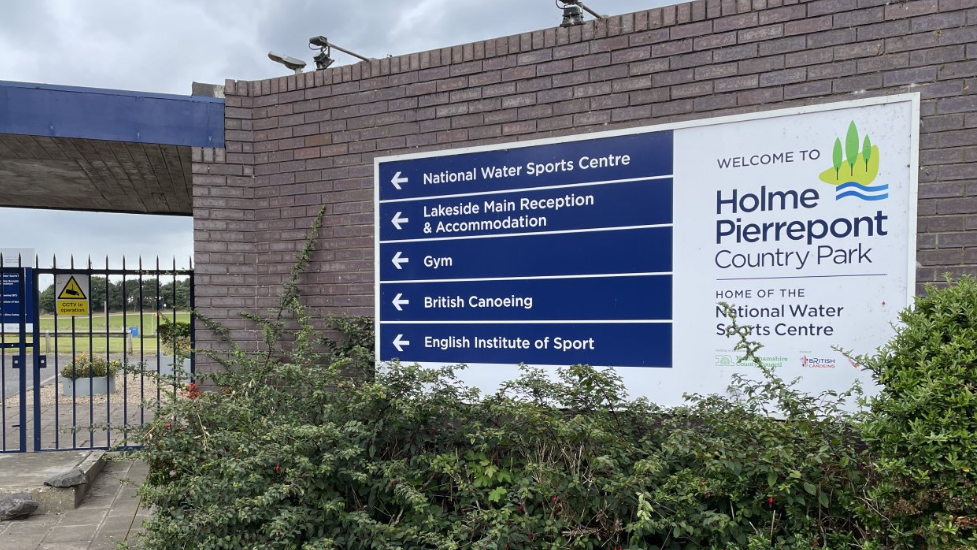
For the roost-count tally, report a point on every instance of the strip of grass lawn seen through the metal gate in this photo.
(82, 340)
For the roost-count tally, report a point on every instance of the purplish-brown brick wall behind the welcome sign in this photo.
(298, 142)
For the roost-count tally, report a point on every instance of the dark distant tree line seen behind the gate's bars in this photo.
(127, 296)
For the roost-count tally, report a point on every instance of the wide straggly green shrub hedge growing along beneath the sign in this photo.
(411, 458)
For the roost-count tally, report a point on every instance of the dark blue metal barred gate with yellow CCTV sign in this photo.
(89, 354)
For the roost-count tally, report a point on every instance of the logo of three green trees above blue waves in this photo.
(854, 166)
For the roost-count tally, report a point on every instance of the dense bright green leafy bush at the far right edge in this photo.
(922, 429)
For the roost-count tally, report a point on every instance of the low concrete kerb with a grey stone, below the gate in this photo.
(26, 472)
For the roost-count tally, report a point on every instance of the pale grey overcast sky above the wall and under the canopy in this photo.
(164, 45)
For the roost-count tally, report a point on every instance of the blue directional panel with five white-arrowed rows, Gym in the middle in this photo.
(545, 254)
